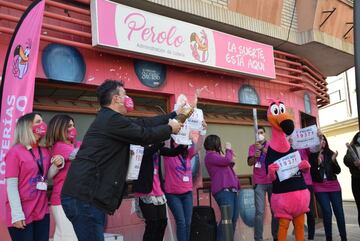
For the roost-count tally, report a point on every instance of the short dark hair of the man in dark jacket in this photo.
(107, 90)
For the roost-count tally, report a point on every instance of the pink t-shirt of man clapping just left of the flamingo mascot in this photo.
(259, 170)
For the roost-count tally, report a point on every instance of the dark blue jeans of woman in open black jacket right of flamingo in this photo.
(334, 199)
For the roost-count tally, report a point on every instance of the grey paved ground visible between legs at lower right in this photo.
(352, 227)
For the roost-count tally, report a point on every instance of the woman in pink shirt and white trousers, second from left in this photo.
(61, 140)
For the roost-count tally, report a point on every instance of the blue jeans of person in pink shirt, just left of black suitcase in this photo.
(181, 207)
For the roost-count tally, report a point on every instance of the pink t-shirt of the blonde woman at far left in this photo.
(21, 164)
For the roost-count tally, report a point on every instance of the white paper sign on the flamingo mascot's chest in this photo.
(288, 165)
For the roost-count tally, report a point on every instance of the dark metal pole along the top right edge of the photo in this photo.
(357, 54)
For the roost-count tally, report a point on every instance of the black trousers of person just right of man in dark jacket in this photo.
(155, 221)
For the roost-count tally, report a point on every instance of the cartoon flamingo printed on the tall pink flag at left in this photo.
(21, 59)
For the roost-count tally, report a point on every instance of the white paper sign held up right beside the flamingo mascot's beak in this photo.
(305, 138)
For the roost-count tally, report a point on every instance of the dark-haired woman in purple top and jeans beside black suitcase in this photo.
(224, 183)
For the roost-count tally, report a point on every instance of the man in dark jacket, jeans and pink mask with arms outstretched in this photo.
(96, 180)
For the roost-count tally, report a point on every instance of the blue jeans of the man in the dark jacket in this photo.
(88, 221)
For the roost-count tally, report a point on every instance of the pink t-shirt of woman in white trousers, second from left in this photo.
(63, 149)
